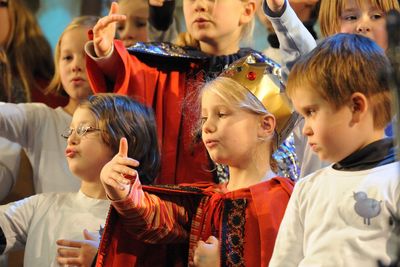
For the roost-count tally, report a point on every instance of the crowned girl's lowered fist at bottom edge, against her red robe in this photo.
(207, 253)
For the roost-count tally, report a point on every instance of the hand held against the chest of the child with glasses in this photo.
(78, 253)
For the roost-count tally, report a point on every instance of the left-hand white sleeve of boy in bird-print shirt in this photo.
(288, 250)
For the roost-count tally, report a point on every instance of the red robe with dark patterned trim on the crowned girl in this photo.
(246, 222)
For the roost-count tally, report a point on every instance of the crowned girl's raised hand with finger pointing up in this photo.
(116, 176)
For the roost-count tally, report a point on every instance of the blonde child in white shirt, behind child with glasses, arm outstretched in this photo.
(36, 127)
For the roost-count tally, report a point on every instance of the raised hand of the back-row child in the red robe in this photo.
(104, 31)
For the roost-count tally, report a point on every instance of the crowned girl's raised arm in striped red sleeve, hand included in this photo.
(144, 215)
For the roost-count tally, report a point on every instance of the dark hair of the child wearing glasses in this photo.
(120, 116)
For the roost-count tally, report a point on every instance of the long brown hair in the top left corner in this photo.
(27, 54)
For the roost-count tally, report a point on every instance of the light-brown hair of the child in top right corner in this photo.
(331, 11)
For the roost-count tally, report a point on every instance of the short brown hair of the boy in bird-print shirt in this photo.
(341, 65)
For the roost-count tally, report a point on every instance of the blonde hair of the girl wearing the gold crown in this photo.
(238, 96)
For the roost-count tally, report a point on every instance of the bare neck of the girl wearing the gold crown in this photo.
(243, 178)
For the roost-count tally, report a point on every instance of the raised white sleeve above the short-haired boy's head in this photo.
(294, 38)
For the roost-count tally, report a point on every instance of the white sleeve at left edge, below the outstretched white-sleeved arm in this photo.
(9, 165)
